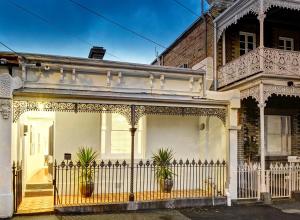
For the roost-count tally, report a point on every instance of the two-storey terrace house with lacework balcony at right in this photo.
(257, 45)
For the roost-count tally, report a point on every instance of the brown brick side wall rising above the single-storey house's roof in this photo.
(196, 43)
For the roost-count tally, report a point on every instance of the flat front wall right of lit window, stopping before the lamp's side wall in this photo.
(175, 132)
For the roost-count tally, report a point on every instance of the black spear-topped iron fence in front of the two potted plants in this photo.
(109, 182)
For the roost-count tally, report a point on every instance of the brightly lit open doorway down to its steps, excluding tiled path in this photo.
(38, 150)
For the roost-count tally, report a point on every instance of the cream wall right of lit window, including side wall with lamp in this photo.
(184, 136)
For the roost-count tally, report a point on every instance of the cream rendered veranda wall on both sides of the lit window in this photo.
(182, 134)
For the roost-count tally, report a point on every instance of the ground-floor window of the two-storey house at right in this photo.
(278, 135)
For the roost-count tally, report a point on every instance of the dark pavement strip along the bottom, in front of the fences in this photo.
(285, 210)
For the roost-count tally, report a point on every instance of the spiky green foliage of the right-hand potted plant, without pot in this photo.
(163, 159)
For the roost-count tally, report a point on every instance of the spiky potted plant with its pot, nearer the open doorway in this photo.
(86, 156)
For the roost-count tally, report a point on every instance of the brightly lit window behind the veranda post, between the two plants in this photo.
(116, 138)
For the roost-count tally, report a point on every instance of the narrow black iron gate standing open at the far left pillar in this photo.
(17, 184)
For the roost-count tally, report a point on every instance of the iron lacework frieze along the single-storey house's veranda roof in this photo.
(19, 107)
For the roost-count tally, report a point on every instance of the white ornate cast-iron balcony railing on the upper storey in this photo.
(269, 60)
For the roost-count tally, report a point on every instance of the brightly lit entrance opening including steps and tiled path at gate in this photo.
(34, 138)
